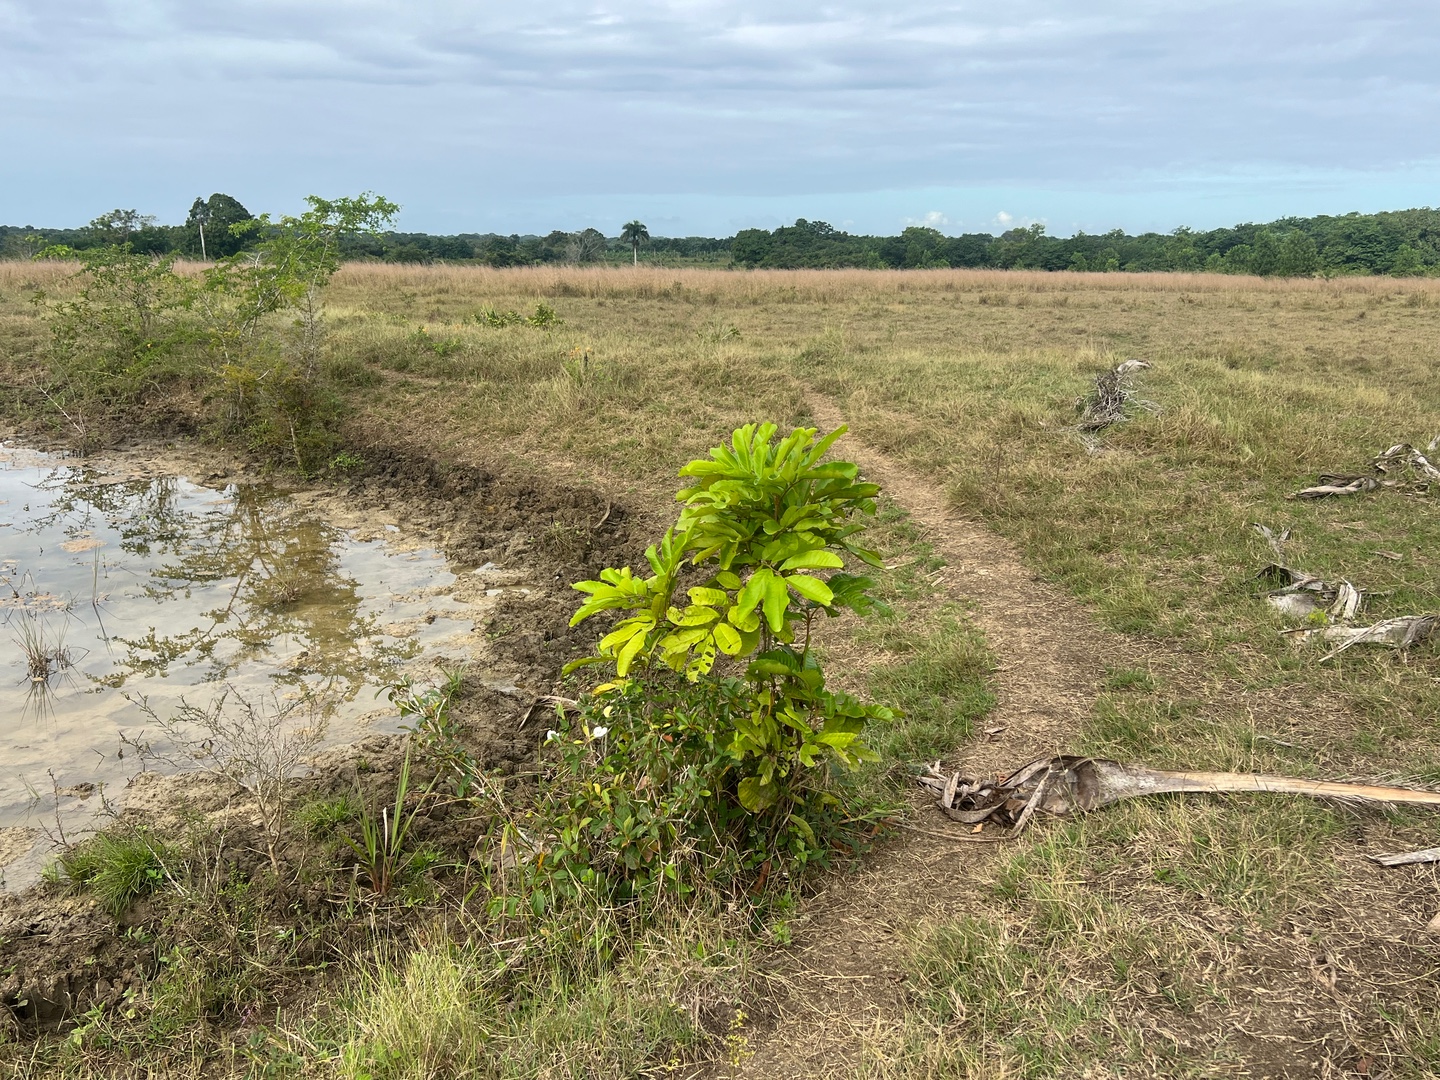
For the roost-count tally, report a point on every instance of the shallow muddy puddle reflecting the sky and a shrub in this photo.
(120, 588)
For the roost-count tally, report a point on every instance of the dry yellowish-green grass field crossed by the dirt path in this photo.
(1179, 938)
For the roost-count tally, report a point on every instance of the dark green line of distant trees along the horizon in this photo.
(1399, 243)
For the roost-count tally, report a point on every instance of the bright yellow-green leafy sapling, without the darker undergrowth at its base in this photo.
(764, 532)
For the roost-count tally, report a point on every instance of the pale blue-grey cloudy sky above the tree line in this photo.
(702, 117)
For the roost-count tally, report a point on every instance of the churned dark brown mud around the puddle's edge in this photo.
(64, 954)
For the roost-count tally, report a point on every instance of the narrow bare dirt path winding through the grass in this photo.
(843, 978)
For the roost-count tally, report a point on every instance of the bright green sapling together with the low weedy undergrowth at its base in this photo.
(712, 745)
